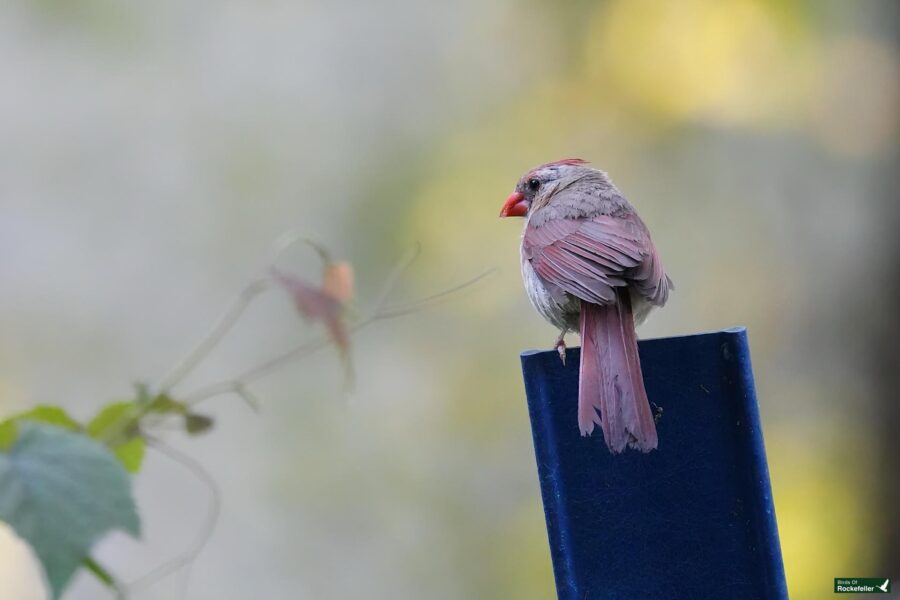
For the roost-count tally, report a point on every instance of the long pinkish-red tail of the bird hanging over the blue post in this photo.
(610, 379)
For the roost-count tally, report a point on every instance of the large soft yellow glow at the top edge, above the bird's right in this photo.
(733, 62)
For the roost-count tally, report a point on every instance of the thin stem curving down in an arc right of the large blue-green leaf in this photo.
(209, 523)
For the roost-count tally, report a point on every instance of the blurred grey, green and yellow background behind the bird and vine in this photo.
(153, 151)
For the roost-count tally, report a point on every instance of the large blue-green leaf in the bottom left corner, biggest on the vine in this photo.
(61, 492)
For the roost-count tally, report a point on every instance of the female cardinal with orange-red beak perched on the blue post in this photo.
(589, 265)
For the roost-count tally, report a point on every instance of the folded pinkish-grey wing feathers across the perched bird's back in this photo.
(587, 258)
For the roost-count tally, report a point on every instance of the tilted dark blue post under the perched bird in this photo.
(693, 519)
